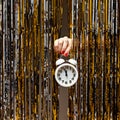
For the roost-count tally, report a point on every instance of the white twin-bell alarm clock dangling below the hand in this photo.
(66, 73)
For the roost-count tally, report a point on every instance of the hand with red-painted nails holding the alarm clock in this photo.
(63, 45)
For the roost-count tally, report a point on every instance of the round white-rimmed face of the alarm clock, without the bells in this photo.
(66, 75)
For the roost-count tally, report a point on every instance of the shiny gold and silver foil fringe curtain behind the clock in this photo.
(28, 90)
